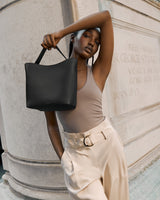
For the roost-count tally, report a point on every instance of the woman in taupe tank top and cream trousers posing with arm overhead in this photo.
(93, 158)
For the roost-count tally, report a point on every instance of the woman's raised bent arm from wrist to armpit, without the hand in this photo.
(104, 22)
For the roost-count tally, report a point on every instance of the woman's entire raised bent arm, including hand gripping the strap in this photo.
(104, 22)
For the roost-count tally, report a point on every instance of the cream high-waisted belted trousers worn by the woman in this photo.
(94, 164)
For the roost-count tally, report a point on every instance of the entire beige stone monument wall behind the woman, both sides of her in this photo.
(131, 96)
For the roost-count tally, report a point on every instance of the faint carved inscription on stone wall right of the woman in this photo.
(141, 65)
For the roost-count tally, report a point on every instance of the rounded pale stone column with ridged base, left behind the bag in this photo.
(32, 166)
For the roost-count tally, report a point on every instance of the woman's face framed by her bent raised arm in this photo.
(86, 43)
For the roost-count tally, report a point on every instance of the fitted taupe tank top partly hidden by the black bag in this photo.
(88, 112)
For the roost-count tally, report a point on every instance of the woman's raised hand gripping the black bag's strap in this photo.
(51, 40)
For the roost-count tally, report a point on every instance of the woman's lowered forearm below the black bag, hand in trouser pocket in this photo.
(54, 133)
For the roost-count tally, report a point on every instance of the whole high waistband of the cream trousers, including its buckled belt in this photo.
(88, 138)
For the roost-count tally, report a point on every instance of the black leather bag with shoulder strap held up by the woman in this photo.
(51, 87)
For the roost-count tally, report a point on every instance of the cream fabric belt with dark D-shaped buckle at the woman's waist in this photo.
(80, 140)
